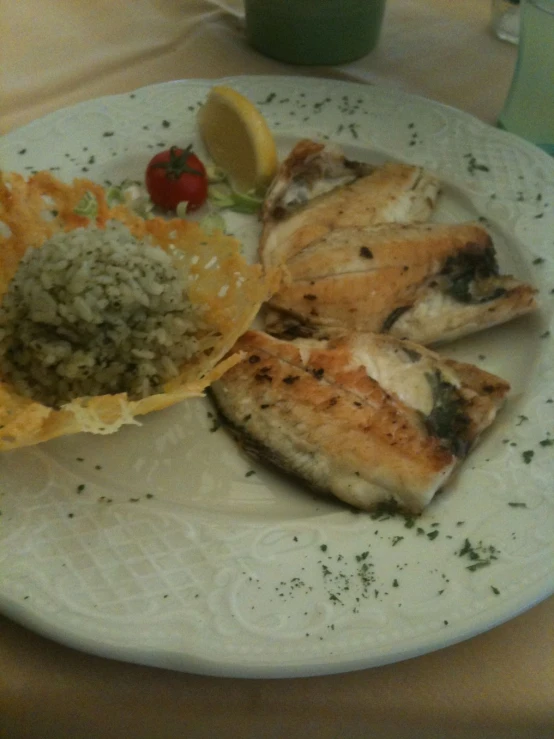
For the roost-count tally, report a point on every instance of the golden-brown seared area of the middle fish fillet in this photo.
(355, 278)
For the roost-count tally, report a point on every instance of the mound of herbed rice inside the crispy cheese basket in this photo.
(93, 312)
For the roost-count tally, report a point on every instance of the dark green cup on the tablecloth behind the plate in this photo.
(314, 31)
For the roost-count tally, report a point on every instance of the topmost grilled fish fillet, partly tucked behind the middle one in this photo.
(317, 189)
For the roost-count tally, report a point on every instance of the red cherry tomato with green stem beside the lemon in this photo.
(174, 176)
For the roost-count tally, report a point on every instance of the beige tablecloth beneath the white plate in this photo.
(499, 684)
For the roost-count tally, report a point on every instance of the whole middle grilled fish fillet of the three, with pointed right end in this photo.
(424, 282)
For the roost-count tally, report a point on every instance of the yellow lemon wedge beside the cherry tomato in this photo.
(238, 139)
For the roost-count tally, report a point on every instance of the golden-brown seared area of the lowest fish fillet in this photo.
(313, 427)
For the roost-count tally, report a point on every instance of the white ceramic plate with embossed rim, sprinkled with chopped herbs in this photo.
(179, 551)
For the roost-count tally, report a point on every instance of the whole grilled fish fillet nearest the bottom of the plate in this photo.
(367, 418)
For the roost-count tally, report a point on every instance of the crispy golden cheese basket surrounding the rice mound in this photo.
(230, 289)
